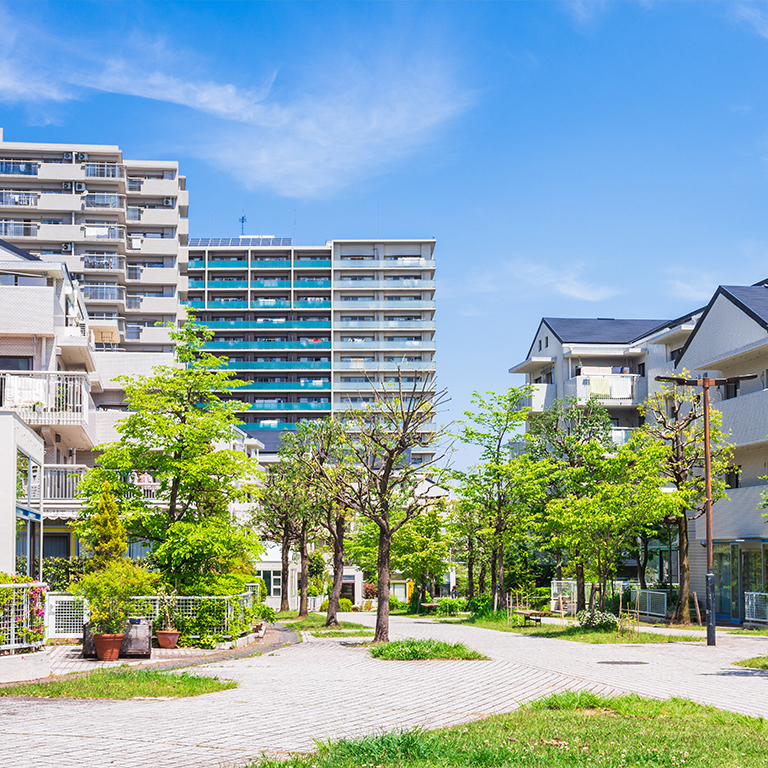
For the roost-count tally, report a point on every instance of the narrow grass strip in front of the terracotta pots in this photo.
(122, 683)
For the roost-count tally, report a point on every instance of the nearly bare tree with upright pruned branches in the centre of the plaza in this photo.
(376, 478)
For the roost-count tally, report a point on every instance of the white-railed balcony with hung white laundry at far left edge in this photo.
(60, 400)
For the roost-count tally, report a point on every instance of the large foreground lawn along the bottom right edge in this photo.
(568, 730)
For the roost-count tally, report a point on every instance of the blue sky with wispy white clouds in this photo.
(571, 158)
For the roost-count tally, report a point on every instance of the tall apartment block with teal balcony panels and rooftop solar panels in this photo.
(313, 329)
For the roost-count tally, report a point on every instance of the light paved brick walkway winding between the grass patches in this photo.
(323, 689)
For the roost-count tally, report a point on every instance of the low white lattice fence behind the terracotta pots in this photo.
(66, 613)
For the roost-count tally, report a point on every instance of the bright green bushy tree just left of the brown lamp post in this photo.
(612, 498)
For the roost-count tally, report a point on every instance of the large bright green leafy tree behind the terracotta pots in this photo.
(172, 441)
